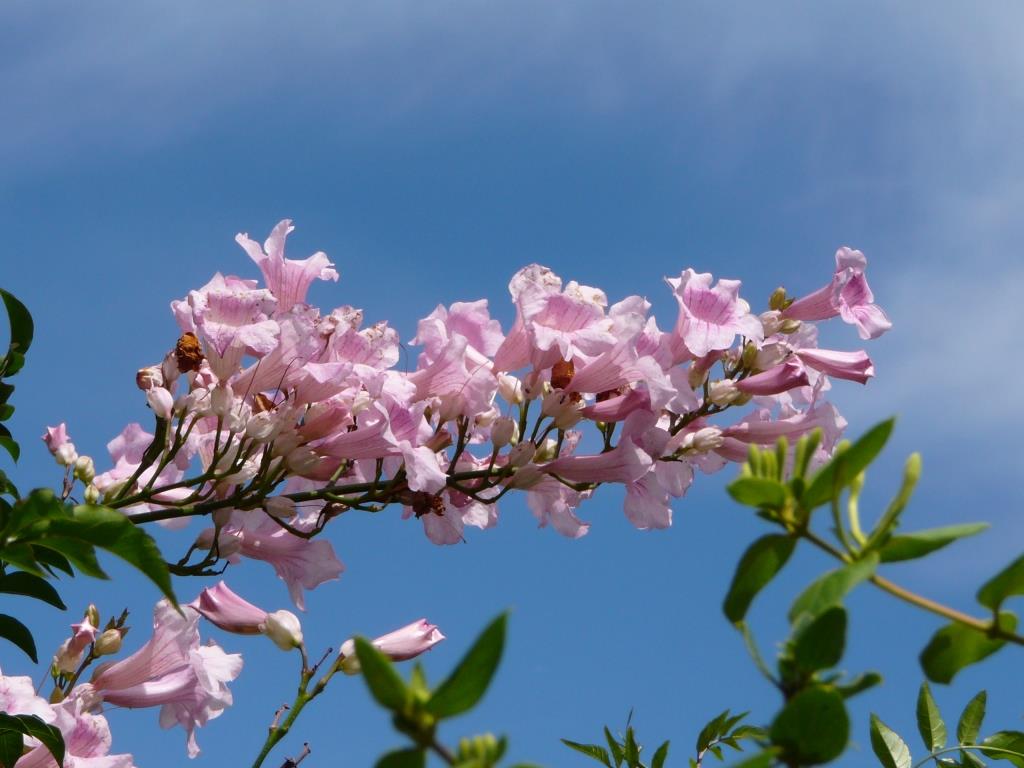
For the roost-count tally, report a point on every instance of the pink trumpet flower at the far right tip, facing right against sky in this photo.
(848, 295)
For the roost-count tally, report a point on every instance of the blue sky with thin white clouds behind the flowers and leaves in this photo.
(433, 150)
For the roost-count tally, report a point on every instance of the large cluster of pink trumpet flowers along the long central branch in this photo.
(273, 418)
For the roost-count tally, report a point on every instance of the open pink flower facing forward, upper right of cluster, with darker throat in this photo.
(710, 318)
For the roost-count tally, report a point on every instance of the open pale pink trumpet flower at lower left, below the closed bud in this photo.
(173, 671)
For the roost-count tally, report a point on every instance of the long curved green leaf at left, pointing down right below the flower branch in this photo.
(113, 532)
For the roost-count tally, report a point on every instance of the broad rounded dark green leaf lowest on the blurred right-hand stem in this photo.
(813, 729)
